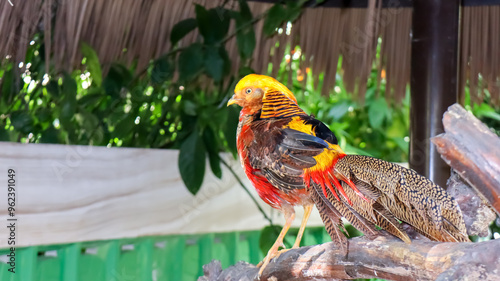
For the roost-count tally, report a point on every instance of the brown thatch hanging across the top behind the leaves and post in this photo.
(135, 30)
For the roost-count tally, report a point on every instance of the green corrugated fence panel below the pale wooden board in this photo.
(161, 258)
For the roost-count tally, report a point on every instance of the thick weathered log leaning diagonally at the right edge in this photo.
(473, 151)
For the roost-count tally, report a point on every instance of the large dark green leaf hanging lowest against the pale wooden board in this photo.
(191, 162)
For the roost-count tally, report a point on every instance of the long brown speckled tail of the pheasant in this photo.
(395, 194)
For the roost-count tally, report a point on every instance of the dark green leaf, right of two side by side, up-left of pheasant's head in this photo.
(216, 62)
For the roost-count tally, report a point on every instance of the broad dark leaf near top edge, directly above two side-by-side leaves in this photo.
(213, 24)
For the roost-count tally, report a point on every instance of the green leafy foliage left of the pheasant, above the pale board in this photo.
(138, 107)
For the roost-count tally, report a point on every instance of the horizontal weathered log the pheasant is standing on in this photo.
(386, 258)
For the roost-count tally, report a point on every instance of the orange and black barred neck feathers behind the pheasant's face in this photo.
(276, 104)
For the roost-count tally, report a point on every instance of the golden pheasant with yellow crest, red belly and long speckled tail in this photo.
(293, 159)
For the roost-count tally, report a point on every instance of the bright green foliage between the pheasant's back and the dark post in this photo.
(375, 128)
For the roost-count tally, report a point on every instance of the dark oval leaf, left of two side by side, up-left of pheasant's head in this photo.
(190, 62)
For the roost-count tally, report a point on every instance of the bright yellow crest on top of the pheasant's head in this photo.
(264, 82)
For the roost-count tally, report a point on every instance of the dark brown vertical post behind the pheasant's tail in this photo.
(433, 81)
